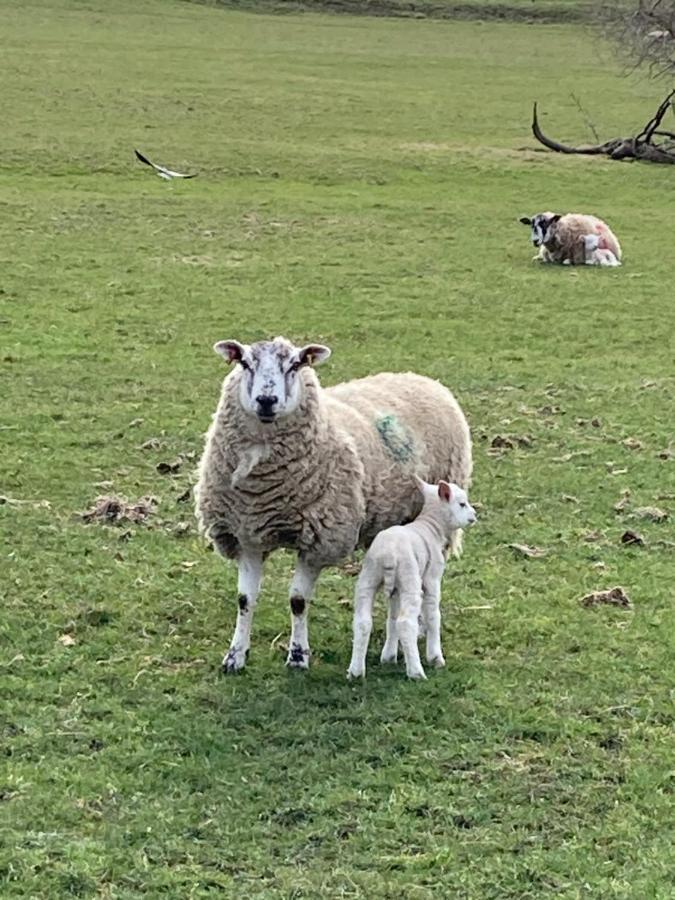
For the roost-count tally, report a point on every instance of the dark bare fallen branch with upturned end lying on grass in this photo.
(642, 146)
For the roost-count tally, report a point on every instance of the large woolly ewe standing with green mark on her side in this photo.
(289, 464)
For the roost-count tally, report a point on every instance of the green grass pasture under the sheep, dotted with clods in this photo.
(360, 182)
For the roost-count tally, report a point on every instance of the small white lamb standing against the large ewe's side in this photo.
(409, 561)
